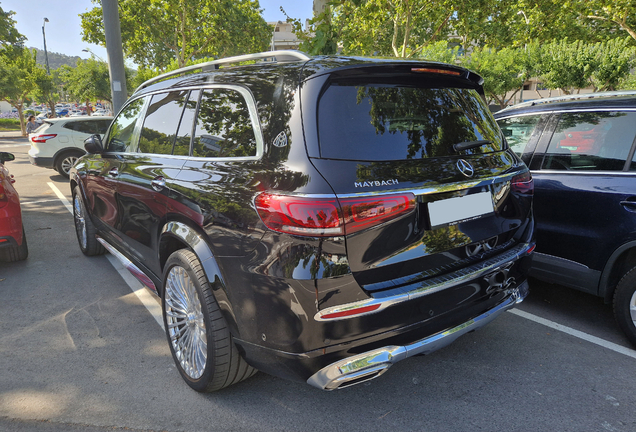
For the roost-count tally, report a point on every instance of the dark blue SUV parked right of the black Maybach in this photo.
(580, 150)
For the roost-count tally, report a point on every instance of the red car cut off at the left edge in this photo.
(13, 246)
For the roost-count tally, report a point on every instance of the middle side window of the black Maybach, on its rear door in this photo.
(162, 119)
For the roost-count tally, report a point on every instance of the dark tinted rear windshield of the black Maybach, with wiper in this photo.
(377, 122)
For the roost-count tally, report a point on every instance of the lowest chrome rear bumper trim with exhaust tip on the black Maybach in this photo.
(369, 365)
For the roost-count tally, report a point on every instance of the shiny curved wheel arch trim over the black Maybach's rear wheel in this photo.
(178, 235)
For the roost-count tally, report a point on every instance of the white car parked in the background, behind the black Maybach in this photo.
(59, 142)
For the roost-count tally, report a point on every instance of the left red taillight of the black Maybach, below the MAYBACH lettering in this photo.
(328, 217)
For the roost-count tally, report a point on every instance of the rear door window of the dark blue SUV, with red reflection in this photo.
(591, 141)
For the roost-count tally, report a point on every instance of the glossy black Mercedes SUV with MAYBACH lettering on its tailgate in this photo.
(315, 218)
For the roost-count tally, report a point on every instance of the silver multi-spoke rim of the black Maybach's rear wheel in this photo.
(185, 323)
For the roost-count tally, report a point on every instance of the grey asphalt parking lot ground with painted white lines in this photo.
(81, 350)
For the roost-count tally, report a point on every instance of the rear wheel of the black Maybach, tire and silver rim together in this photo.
(198, 335)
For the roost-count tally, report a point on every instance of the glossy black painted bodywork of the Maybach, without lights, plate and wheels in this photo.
(270, 285)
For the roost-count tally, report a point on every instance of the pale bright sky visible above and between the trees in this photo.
(64, 26)
